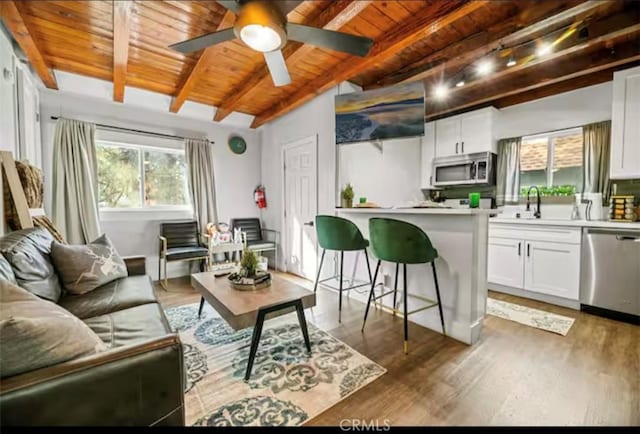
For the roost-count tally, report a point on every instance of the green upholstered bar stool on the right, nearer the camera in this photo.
(403, 243)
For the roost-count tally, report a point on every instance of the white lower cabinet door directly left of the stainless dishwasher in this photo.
(552, 268)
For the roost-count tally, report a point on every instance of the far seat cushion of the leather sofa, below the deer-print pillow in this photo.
(114, 296)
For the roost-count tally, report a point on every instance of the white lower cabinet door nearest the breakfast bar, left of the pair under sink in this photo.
(506, 262)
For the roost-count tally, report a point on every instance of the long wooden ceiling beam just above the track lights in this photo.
(531, 21)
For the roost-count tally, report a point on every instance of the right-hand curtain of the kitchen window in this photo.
(596, 142)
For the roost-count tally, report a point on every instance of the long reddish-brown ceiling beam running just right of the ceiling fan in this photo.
(421, 26)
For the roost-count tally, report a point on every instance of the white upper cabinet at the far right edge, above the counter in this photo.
(625, 125)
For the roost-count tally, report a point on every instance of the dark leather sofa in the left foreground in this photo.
(137, 381)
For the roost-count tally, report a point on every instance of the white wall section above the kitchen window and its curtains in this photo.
(566, 110)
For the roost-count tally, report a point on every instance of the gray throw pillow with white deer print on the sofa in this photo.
(83, 268)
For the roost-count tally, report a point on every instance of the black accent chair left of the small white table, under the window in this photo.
(180, 241)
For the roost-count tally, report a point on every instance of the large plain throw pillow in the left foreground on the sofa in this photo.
(35, 333)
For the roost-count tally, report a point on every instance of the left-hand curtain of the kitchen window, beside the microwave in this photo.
(508, 173)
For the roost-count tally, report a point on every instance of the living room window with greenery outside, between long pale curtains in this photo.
(132, 176)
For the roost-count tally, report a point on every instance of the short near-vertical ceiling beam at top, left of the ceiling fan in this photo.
(121, 28)
